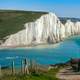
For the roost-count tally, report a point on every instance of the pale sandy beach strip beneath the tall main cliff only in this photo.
(38, 46)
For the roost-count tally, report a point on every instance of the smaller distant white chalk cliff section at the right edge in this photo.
(72, 28)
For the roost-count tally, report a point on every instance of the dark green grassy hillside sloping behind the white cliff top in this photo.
(12, 21)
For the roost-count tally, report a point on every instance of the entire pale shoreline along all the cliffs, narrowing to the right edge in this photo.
(39, 45)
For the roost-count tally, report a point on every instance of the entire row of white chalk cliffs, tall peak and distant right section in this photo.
(46, 29)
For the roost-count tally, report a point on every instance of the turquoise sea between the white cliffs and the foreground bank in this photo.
(69, 48)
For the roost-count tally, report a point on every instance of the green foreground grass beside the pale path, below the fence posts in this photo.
(50, 75)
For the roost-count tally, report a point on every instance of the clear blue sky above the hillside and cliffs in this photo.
(68, 8)
